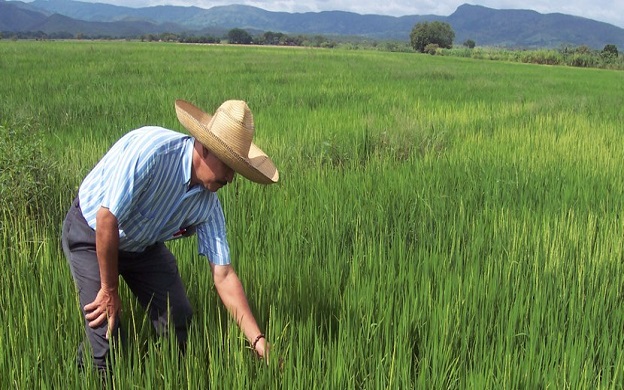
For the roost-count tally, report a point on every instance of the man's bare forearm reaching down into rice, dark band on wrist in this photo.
(233, 297)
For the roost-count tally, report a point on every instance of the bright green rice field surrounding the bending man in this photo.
(439, 222)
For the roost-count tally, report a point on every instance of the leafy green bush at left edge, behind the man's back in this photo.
(27, 172)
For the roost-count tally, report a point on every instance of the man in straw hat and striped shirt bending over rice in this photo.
(152, 186)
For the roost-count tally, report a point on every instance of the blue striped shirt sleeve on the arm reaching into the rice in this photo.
(212, 239)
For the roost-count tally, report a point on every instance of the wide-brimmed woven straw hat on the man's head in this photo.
(228, 134)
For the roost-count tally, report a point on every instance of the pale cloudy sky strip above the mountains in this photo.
(609, 11)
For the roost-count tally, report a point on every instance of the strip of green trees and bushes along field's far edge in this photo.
(436, 38)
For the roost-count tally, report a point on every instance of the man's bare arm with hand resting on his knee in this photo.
(107, 303)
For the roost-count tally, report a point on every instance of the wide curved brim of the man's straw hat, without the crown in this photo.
(256, 166)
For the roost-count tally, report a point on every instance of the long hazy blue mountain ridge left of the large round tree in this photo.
(246, 17)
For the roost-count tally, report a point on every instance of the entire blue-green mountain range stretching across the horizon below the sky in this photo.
(485, 26)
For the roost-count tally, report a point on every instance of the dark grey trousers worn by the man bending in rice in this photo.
(151, 275)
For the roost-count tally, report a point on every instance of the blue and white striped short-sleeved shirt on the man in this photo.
(144, 180)
